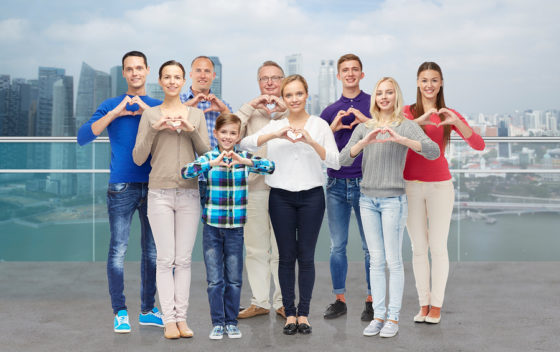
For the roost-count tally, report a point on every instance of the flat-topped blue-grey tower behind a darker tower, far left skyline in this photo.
(47, 77)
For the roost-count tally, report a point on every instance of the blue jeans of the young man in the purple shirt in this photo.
(343, 194)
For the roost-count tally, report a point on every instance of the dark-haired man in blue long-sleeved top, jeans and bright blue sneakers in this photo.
(128, 189)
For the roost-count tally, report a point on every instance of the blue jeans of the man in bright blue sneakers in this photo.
(123, 199)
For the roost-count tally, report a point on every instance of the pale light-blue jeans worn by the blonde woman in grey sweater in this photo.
(384, 220)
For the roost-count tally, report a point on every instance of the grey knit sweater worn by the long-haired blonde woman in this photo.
(383, 163)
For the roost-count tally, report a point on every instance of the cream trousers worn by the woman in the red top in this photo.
(430, 205)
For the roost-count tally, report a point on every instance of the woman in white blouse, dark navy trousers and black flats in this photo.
(300, 145)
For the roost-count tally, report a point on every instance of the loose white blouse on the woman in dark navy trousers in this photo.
(298, 166)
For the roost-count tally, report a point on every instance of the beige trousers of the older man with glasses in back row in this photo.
(261, 251)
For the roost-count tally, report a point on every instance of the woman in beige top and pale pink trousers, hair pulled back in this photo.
(171, 133)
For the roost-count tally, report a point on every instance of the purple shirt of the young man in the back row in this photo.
(360, 102)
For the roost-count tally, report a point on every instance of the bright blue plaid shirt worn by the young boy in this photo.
(226, 204)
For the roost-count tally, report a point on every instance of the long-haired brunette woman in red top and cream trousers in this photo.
(430, 190)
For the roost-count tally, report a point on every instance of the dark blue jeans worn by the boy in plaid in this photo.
(223, 257)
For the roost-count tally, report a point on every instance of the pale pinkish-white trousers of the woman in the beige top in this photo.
(174, 216)
